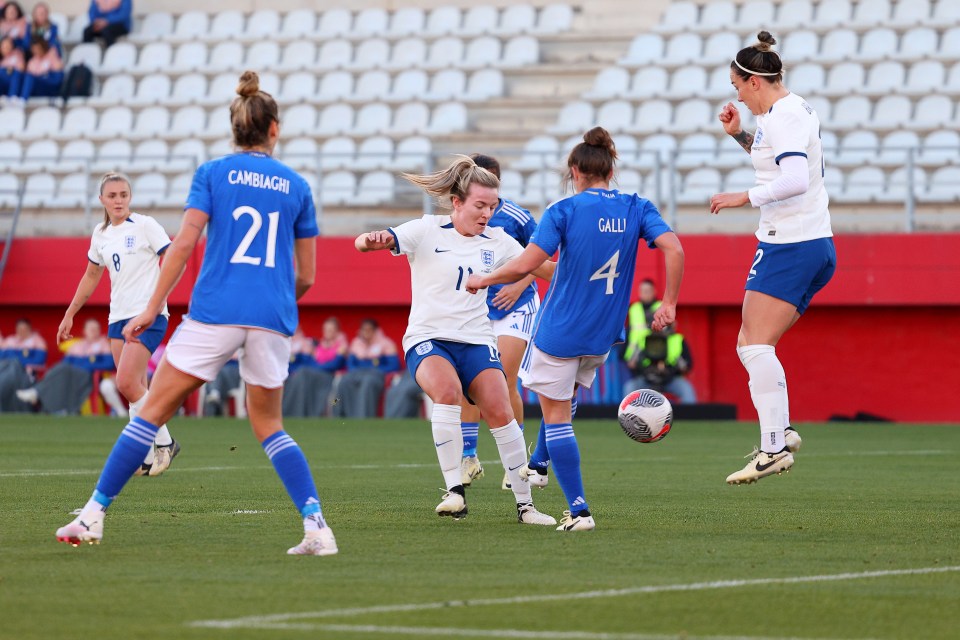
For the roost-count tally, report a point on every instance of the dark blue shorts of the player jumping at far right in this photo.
(793, 272)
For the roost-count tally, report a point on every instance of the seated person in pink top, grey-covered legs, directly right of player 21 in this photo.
(307, 390)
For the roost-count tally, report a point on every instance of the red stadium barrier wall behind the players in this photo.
(881, 338)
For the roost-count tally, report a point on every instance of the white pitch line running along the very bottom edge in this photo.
(454, 632)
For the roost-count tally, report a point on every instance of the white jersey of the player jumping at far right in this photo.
(791, 128)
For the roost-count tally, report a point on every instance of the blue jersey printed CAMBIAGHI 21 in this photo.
(257, 206)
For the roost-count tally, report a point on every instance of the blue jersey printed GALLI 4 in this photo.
(597, 232)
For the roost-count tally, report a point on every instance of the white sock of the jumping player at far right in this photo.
(768, 389)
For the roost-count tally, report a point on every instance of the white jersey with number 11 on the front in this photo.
(441, 260)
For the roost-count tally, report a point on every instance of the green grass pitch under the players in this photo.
(860, 540)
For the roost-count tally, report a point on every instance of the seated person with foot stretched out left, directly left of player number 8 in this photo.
(68, 383)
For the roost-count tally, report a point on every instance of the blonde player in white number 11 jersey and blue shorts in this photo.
(451, 350)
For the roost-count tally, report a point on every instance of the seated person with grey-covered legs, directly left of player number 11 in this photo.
(371, 356)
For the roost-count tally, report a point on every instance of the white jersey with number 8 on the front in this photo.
(130, 252)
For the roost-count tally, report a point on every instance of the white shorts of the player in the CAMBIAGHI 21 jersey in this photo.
(201, 350)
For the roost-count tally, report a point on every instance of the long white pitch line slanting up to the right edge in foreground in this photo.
(251, 621)
